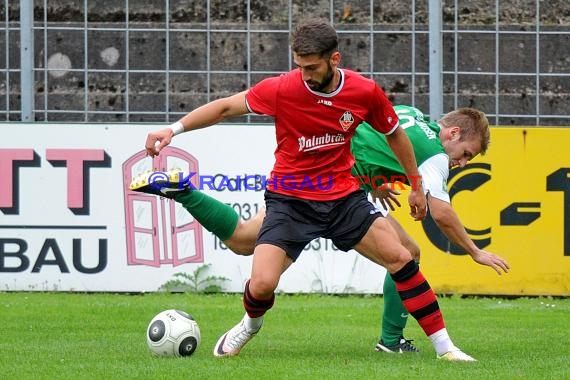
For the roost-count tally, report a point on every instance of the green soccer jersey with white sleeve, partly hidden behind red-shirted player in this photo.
(377, 164)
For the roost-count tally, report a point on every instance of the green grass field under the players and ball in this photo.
(102, 336)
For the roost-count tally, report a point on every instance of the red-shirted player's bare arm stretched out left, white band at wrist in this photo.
(204, 116)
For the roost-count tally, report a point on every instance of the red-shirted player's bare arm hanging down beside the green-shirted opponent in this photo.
(402, 148)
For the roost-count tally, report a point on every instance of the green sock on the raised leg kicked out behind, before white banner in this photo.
(215, 216)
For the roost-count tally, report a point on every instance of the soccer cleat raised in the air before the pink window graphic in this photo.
(165, 184)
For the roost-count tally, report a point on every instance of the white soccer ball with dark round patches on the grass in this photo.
(173, 333)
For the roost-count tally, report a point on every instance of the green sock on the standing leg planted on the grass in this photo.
(395, 315)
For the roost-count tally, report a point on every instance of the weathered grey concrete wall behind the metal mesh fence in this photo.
(146, 92)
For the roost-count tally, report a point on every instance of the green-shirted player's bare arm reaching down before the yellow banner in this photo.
(448, 222)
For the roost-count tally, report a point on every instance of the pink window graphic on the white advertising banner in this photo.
(159, 230)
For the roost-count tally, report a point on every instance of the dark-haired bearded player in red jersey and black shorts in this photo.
(312, 192)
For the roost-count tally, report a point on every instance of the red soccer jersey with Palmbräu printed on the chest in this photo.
(313, 129)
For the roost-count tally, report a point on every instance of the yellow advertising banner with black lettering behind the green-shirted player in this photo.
(515, 202)
